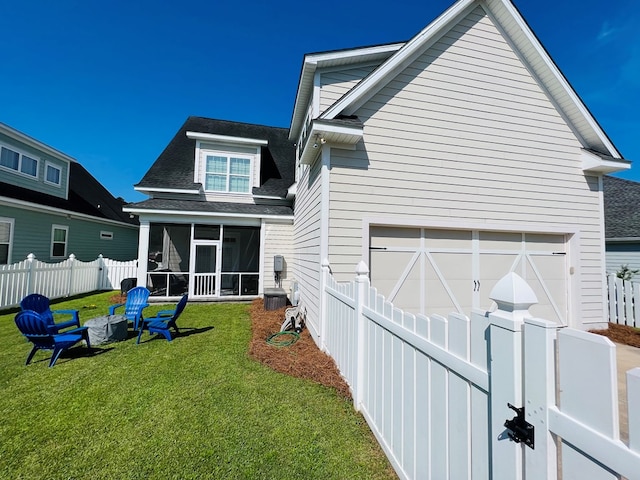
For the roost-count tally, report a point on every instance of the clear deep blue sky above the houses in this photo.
(110, 83)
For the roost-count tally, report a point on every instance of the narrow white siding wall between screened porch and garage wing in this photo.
(278, 241)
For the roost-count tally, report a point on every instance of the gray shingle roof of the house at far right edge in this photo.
(621, 208)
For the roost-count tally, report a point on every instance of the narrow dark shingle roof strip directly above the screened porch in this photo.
(190, 206)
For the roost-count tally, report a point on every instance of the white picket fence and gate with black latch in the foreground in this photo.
(436, 391)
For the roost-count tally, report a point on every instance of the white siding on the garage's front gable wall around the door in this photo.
(464, 134)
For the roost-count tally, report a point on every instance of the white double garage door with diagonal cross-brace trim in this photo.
(438, 271)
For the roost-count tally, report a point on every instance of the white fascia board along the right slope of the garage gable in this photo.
(559, 77)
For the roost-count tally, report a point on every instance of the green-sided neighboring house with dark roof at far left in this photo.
(52, 207)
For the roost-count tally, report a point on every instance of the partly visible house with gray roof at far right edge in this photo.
(622, 223)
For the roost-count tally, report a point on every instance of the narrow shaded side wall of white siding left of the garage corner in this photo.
(306, 231)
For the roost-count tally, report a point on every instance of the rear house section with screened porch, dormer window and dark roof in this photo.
(220, 210)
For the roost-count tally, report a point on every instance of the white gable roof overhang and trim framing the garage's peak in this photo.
(526, 45)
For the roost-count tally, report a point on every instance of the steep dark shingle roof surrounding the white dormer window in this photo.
(174, 168)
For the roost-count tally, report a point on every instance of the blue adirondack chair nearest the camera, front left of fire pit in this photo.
(44, 337)
